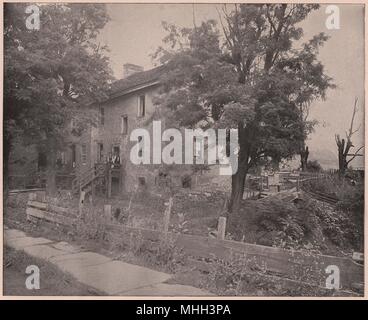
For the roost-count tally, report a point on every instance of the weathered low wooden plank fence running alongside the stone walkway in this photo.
(294, 267)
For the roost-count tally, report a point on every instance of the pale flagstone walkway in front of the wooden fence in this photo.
(100, 272)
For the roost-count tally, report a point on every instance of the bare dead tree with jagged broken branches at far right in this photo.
(344, 146)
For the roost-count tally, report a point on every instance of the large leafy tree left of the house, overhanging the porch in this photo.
(52, 75)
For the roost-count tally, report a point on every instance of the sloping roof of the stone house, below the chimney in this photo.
(136, 81)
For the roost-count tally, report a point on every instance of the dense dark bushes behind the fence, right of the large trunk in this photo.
(308, 224)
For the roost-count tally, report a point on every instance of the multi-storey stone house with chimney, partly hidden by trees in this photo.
(130, 105)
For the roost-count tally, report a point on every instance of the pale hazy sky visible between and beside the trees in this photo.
(135, 32)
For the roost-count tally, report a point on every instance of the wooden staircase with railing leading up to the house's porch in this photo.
(85, 181)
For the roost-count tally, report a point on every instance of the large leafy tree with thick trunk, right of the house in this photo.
(254, 75)
